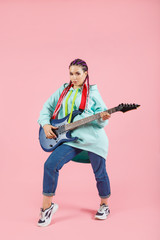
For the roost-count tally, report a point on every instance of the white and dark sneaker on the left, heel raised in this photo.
(46, 215)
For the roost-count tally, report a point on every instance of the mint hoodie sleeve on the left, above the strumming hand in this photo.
(49, 106)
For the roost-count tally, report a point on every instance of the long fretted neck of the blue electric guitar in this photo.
(71, 126)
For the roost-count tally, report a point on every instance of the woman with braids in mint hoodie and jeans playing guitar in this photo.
(92, 138)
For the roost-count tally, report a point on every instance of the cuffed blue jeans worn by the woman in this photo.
(63, 154)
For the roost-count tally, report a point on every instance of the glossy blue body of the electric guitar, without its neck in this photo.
(49, 144)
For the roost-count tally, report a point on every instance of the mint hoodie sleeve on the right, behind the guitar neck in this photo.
(96, 105)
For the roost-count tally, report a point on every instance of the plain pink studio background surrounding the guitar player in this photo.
(119, 40)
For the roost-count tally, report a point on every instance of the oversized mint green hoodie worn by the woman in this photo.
(92, 136)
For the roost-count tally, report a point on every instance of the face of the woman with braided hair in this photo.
(77, 75)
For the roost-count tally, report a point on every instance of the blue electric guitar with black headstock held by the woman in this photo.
(63, 132)
